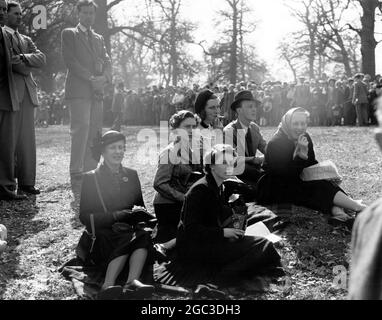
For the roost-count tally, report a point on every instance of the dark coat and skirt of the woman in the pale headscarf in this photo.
(281, 182)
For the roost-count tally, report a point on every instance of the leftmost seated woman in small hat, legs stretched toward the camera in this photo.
(108, 197)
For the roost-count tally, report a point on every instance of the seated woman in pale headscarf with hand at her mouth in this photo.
(288, 153)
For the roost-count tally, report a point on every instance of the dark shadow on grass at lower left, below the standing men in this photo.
(18, 218)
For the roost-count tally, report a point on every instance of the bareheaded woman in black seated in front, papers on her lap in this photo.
(202, 236)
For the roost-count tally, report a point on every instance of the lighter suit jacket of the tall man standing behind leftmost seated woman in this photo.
(80, 61)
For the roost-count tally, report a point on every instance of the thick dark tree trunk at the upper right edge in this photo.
(368, 43)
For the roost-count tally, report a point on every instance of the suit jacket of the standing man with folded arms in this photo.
(34, 59)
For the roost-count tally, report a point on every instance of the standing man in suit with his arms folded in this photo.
(29, 57)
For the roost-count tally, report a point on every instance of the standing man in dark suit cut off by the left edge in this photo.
(9, 110)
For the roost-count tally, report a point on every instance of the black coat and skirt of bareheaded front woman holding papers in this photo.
(201, 241)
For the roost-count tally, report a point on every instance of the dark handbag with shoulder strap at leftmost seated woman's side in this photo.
(85, 247)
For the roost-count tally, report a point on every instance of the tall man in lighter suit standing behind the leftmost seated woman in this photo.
(89, 70)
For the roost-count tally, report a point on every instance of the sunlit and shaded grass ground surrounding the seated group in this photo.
(43, 232)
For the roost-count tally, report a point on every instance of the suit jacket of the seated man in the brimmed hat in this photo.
(231, 136)
